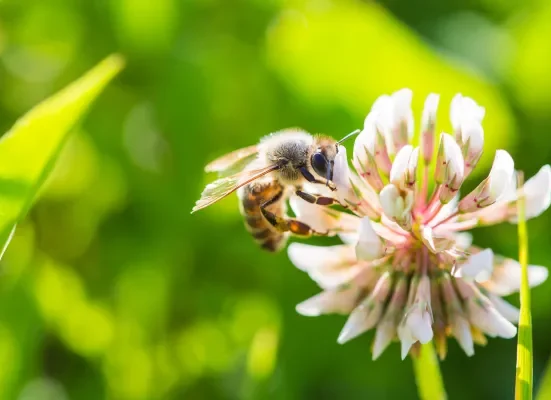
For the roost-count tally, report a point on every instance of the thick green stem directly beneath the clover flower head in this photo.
(427, 374)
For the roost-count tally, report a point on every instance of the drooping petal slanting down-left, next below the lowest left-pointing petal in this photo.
(366, 315)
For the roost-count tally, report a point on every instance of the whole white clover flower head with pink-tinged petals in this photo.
(407, 269)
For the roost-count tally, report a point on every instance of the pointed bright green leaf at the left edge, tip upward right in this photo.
(29, 150)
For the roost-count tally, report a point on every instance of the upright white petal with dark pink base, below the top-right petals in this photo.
(450, 167)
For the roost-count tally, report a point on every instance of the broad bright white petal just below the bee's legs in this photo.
(328, 266)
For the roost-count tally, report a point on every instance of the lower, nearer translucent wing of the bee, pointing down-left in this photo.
(224, 186)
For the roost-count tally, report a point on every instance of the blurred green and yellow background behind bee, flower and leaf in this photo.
(111, 289)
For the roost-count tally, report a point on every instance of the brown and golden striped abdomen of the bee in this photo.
(251, 197)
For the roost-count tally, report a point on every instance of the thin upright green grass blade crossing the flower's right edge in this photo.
(523, 382)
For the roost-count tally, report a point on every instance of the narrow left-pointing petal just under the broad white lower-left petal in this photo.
(339, 301)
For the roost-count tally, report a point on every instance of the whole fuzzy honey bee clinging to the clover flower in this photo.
(266, 174)
